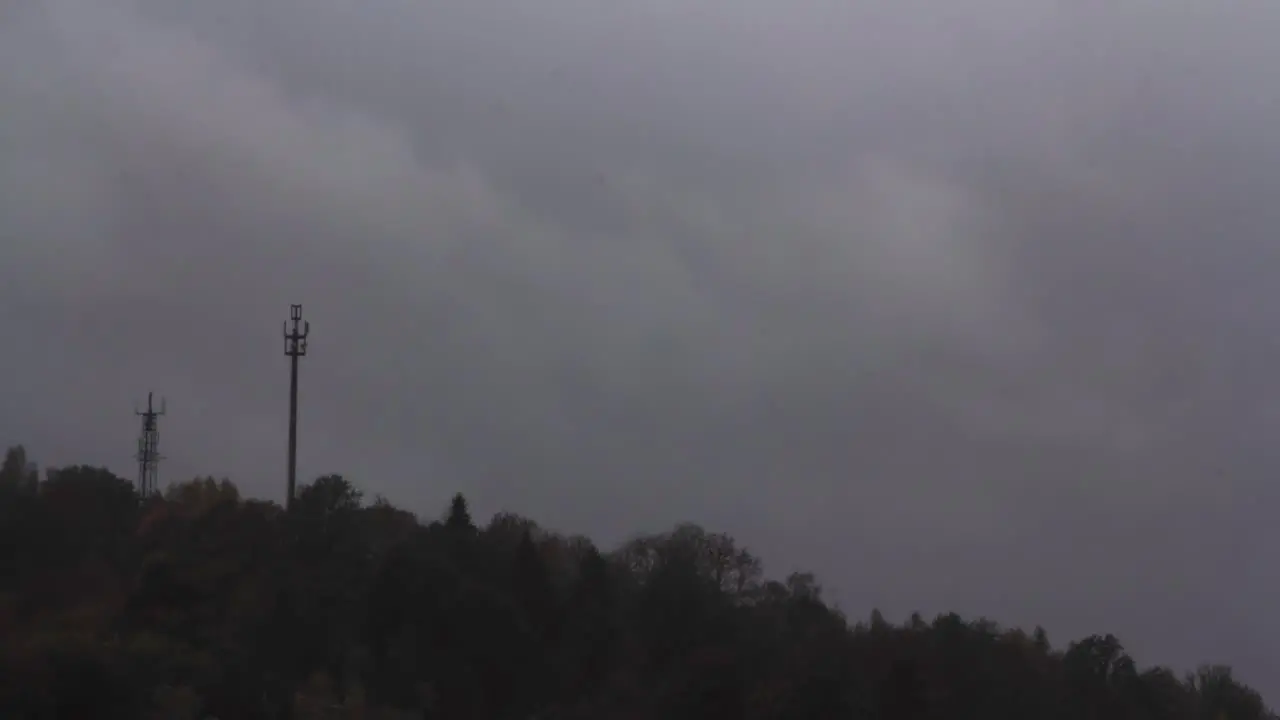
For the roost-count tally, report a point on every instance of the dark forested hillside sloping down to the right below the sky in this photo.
(205, 604)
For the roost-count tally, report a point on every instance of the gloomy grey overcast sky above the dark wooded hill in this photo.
(963, 306)
